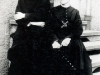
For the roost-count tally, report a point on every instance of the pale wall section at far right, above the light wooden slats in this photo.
(95, 13)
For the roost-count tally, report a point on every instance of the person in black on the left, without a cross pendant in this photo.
(26, 56)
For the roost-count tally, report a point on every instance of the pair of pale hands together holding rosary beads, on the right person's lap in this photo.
(65, 42)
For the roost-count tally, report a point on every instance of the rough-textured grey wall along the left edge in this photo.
(7, 8)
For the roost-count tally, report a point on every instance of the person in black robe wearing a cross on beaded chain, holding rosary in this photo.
(70, 55)
